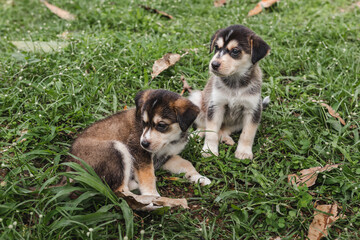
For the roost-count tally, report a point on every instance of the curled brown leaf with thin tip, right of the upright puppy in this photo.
(309, 176)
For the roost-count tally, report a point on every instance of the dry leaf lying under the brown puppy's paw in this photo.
(149, 203)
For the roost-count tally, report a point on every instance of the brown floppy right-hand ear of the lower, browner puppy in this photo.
(186, 112)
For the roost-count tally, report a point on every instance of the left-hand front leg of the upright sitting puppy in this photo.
(215, 116)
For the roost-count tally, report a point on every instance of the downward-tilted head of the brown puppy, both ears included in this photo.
(164, 116)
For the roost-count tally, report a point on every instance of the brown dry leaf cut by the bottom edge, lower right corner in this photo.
(321, 222)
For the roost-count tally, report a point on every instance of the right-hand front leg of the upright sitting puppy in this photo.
(244, 148)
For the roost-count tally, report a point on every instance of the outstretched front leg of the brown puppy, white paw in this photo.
(177, 165)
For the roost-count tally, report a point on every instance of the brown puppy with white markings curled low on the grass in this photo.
(126, 148)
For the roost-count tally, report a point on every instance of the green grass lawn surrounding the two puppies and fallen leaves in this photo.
(46, 99)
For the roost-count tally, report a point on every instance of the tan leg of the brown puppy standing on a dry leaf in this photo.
(145, 175)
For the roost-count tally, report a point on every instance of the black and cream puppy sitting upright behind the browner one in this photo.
(231, 100)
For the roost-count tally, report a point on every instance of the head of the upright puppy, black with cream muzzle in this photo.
(237, 48)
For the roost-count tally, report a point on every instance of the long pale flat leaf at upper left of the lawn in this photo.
(29, 46)
